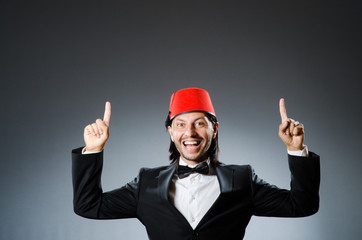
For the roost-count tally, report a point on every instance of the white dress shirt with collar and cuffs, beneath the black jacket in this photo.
(194, 195)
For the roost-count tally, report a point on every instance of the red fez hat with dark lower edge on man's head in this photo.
(190, 100)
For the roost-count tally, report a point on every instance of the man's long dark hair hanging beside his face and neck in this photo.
(212, 153)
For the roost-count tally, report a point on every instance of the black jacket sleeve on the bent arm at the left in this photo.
(88, 198)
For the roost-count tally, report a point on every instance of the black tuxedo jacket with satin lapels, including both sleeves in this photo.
(243, 194)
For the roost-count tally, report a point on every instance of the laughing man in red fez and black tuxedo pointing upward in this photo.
(196, 196)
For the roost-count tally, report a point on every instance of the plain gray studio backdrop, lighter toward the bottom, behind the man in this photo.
(61, 60)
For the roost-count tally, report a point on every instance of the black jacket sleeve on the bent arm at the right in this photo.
(301, 200)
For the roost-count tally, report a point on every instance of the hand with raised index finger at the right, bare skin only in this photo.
(290, 131)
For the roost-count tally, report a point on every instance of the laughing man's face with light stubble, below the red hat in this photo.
(192, 134)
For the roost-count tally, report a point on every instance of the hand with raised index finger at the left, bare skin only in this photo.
(97, 133)
